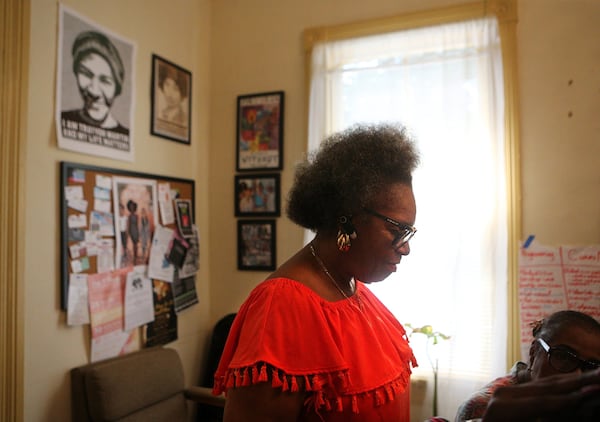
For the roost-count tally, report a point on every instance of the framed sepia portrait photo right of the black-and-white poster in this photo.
(171, 101)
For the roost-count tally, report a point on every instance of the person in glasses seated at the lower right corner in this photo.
(566, 341)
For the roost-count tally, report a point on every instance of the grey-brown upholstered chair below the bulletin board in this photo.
(147, 386)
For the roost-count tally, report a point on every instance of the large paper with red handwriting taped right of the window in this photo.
(556, 278)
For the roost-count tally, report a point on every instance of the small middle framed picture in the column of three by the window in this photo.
(257, 195)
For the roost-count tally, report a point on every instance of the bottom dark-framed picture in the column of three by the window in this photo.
(256, 245)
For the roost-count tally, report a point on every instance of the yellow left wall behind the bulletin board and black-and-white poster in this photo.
(179, 31)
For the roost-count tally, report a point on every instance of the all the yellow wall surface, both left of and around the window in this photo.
(235, 47)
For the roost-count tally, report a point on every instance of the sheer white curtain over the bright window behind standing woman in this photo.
(444, 83)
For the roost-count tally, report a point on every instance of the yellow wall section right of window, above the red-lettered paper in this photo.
(559, 51)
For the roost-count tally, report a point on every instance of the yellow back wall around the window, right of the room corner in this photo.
(257, 46)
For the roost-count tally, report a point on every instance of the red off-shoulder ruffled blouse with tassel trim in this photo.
(351, 356)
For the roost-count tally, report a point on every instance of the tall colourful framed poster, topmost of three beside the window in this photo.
(260, 131)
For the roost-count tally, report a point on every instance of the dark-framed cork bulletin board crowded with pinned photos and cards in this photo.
(94, 201)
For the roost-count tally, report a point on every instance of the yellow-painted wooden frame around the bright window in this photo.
(505, 12)
